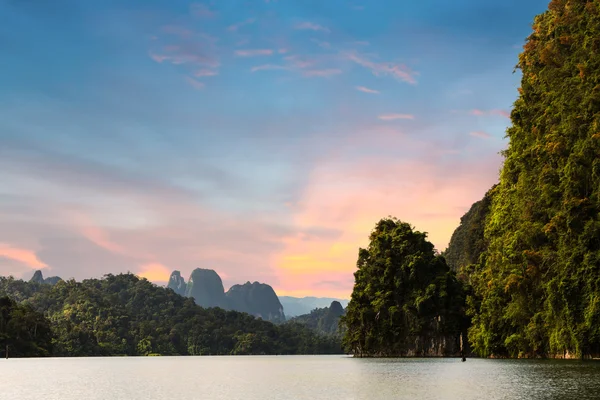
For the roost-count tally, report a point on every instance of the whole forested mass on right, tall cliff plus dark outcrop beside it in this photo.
(528, 254)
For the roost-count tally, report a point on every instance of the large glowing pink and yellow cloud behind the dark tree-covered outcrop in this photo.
(349, 194)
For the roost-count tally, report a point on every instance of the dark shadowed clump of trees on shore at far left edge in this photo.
(23, 331)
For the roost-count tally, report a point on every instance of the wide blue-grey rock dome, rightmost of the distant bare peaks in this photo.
(258, 299)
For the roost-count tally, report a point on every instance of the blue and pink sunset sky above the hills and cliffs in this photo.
(263, 139)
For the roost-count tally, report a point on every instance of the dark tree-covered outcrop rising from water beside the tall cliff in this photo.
(405, 301)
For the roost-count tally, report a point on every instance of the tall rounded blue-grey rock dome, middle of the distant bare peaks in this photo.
(206, 288)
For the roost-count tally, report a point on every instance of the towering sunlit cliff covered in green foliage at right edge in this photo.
(538, 287)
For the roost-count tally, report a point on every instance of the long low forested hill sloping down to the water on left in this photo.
(125, 315)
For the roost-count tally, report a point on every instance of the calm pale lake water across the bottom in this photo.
(295, 377)
